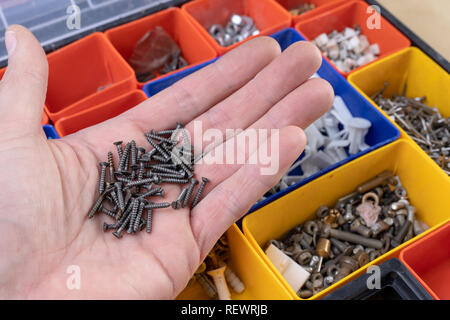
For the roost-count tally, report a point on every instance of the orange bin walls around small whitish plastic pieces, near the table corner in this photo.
(388, 37)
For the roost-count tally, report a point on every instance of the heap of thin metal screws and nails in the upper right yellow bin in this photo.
(424, 124)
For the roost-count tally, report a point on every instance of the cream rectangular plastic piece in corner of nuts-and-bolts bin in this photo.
(291, 271)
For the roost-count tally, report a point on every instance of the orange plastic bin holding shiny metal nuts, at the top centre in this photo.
(268, 16)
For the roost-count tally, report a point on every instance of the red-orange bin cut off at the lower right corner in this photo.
(429, 261)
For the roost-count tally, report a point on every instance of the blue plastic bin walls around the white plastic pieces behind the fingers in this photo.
(381, 132)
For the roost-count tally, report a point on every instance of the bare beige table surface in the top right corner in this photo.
(429, 19)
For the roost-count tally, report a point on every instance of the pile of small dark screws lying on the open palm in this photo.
(126, 194)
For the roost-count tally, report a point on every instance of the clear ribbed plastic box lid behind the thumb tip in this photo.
(58, 22)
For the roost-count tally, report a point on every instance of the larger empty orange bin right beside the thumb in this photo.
(84, 74)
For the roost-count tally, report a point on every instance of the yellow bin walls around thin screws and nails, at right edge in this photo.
(410, 67)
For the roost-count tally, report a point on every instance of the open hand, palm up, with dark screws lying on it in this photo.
(47, 187)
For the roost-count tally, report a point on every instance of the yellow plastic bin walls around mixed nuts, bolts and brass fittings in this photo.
(428, 189)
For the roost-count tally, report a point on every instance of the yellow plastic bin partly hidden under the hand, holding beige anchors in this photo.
(260, 282)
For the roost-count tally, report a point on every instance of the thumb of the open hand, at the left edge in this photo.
(24, 85)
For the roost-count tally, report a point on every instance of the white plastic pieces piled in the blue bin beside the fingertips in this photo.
(331, 139)
